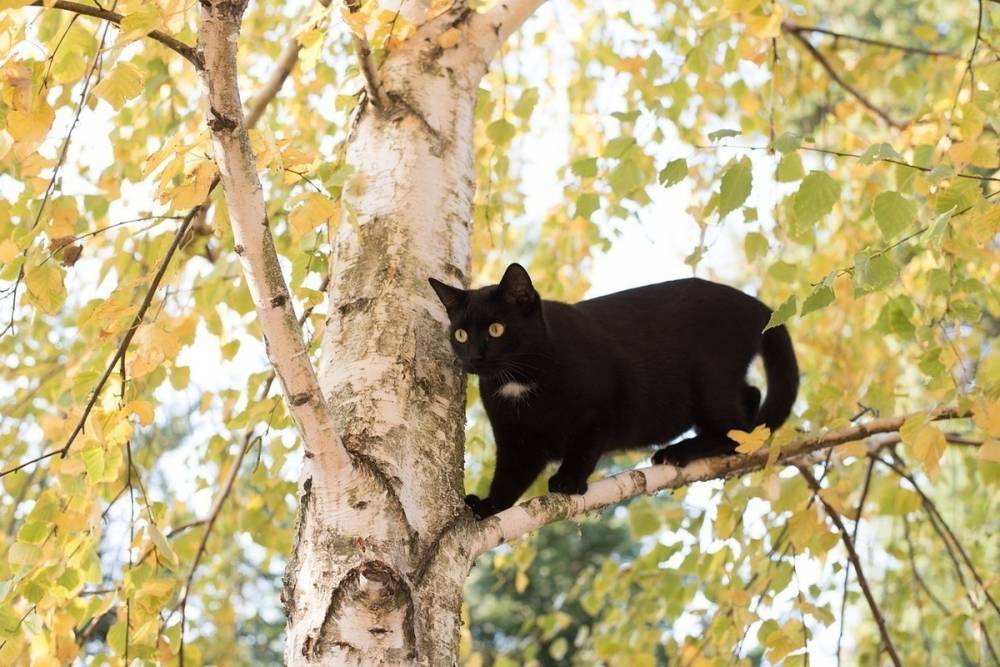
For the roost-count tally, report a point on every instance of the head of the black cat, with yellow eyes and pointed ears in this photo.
(496, 329)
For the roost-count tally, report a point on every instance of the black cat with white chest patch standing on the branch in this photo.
(568, 383)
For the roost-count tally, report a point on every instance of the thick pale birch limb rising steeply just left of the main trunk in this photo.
(218, 35)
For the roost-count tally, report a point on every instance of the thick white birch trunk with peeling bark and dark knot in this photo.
(369, 581)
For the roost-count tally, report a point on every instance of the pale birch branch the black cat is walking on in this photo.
(521, 519)
